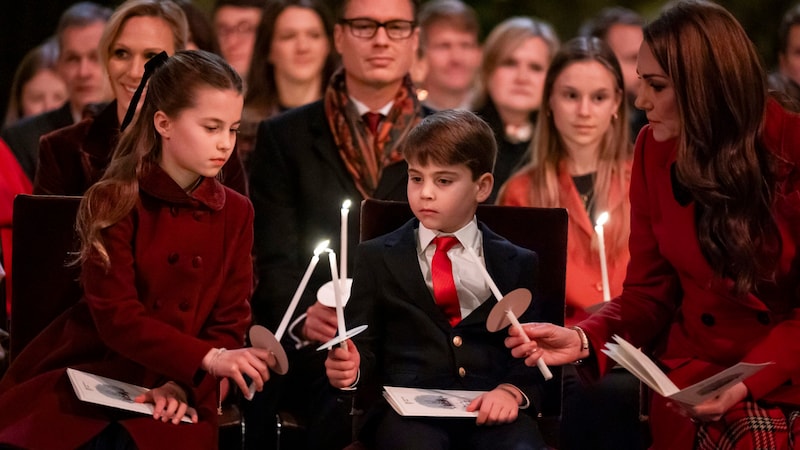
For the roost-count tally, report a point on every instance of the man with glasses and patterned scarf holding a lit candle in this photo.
(306, 162)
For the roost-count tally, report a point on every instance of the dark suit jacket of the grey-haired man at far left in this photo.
(23, 136)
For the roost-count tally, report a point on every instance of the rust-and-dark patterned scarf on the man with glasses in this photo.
(363, 154)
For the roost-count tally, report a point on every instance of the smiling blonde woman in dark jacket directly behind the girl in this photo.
(73, 158)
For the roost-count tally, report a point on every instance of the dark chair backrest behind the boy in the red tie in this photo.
(543, 230)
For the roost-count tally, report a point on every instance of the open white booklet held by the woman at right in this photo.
(646, 370)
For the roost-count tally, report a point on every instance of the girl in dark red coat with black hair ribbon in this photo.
(166, 272)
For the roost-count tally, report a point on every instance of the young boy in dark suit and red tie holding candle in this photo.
(426, 302)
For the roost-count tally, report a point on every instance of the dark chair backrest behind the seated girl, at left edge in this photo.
(45, 285)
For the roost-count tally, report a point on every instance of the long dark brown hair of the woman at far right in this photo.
(721, 92)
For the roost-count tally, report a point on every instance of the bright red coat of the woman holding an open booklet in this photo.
(671, 300)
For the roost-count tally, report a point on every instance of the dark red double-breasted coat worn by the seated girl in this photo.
(178, 286)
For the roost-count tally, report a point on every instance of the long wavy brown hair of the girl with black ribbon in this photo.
(172, 89)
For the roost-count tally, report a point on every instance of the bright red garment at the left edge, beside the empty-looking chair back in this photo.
(13, 181)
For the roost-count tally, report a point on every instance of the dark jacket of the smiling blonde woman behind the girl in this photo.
(73, 158)
